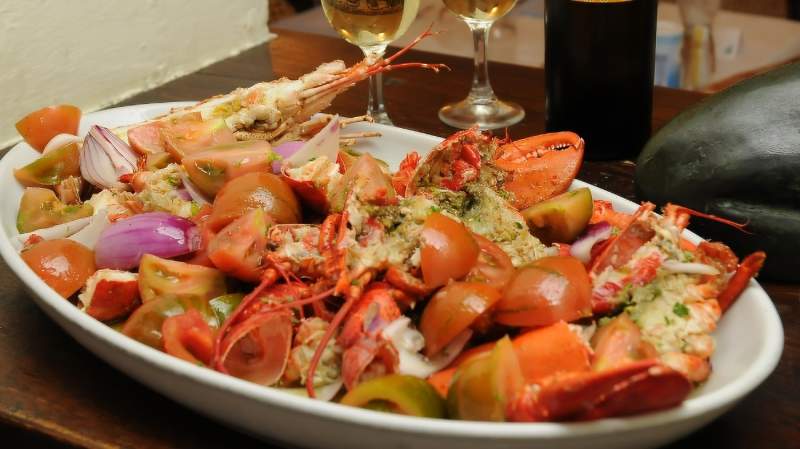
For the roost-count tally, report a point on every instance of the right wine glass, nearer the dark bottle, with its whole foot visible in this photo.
(481, 107)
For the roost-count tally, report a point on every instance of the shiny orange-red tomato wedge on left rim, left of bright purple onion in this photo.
(63, 264)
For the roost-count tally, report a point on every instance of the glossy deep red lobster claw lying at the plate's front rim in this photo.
(637, 387)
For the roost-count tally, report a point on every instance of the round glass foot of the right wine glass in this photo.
(491, 115)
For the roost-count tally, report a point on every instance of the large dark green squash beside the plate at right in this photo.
(736, 154)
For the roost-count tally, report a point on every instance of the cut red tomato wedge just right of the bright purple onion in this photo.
(238, 249)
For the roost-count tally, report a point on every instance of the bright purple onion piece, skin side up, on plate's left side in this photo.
(123, 243)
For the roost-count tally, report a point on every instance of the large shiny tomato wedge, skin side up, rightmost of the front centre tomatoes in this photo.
(546, 291)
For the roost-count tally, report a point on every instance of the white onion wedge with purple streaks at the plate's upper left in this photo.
(105, 157)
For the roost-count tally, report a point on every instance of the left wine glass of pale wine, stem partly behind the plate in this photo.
(371, 25)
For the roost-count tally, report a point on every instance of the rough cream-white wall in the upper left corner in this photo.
(93, 53)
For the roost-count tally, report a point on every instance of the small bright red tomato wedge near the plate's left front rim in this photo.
(187, 336)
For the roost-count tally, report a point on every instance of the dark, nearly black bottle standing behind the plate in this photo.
(599, 63)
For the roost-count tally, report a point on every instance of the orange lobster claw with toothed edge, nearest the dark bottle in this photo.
(540, 167)
